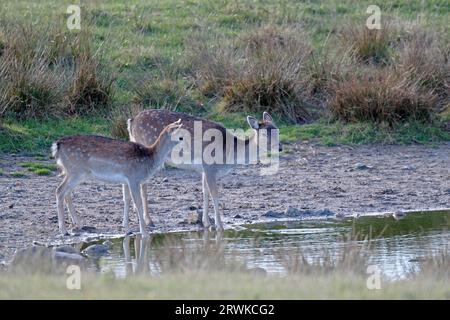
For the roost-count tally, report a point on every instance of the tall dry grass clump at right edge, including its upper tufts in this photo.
(398, 74)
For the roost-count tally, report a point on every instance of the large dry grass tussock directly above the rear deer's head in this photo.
(266, 69)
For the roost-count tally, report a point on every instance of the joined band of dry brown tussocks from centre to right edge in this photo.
(364, 75)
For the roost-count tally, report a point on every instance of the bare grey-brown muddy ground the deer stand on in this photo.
(345, 180)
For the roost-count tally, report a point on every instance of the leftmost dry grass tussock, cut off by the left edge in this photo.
(28, 87)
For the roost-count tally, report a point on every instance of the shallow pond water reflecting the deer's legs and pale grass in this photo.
(395, 246)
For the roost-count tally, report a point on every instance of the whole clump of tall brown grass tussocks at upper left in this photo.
(45, 73)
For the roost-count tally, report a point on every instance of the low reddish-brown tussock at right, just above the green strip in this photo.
(384, 97)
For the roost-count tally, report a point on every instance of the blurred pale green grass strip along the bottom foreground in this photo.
(216, 285)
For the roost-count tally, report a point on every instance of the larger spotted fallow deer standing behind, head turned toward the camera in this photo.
(144, 129)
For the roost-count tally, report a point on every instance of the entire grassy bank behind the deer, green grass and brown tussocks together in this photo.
(308, 63)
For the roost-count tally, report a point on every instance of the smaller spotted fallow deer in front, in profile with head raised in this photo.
(87, 157)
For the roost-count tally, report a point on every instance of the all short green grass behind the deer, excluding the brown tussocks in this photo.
(142, 38)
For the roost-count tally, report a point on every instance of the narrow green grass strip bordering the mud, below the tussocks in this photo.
(34, 137)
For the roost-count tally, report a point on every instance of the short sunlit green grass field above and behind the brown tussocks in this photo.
(142, 32)
